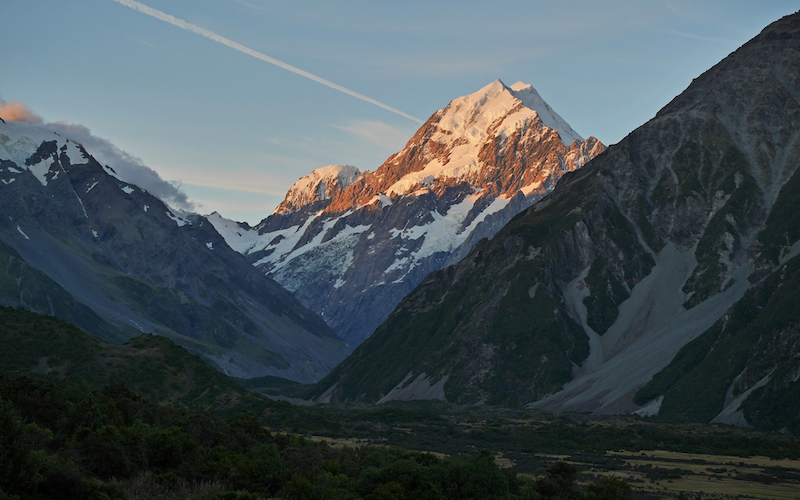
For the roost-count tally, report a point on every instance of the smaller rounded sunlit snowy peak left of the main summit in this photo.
(321, 184)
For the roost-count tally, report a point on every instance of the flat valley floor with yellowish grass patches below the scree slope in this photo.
(658, 460)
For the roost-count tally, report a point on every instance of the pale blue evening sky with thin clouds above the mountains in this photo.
(225, 104)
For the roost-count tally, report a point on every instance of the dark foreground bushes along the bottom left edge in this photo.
(60, 440)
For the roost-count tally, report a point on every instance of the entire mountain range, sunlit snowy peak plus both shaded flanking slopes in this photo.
(499, 258)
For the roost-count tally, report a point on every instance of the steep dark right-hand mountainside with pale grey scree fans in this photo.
(658, 278)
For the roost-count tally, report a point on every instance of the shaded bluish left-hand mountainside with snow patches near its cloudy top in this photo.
(78, 242)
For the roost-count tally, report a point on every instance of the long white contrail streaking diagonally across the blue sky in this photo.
(258, 55)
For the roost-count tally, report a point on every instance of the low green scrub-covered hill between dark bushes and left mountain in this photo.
(152, 366)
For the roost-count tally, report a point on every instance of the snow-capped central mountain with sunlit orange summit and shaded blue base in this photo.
(350, 244)
